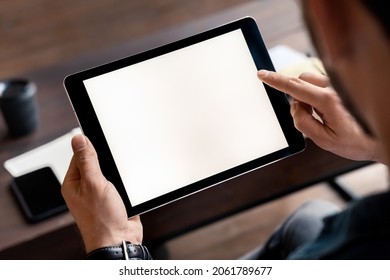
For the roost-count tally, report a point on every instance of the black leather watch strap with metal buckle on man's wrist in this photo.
(125, 251)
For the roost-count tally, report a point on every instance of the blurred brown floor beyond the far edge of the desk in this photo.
(39, 33)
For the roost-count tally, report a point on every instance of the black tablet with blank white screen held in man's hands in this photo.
(177, 119)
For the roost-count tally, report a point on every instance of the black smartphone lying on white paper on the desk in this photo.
(39, 194)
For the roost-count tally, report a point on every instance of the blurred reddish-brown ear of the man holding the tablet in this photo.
(331, 25)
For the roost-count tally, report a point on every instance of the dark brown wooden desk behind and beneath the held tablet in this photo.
(280, 23)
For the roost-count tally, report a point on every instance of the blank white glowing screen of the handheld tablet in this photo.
(184, 116)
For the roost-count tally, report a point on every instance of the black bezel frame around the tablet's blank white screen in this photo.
(91, 128)
